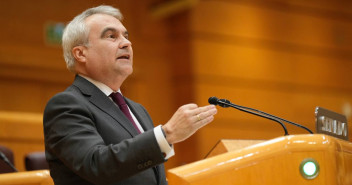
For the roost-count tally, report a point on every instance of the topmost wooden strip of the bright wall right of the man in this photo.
(267, 22)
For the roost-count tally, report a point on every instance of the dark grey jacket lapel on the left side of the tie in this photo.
(99, 99)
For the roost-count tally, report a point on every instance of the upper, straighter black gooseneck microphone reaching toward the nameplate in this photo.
(226, 103)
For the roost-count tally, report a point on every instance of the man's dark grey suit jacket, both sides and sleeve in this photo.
(88, 140)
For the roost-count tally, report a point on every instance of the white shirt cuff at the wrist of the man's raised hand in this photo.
(163, 144)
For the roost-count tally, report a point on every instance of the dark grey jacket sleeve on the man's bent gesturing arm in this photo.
(71, 137)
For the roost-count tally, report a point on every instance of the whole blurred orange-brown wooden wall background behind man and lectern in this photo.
(284, 57)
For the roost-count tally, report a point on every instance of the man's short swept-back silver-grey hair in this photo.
(76, 32)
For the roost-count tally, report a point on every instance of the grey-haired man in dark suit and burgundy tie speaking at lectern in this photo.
(94, 135)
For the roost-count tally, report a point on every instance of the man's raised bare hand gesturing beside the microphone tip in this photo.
(187, 120)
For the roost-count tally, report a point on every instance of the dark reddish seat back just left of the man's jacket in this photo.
(36, 161)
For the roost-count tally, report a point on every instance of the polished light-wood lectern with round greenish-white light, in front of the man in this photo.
(284, 160)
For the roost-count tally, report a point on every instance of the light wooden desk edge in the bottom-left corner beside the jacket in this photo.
(39, 177)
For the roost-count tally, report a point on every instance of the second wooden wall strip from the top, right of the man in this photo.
(213, 58)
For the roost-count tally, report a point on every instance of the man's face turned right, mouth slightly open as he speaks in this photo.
(109, 53)
